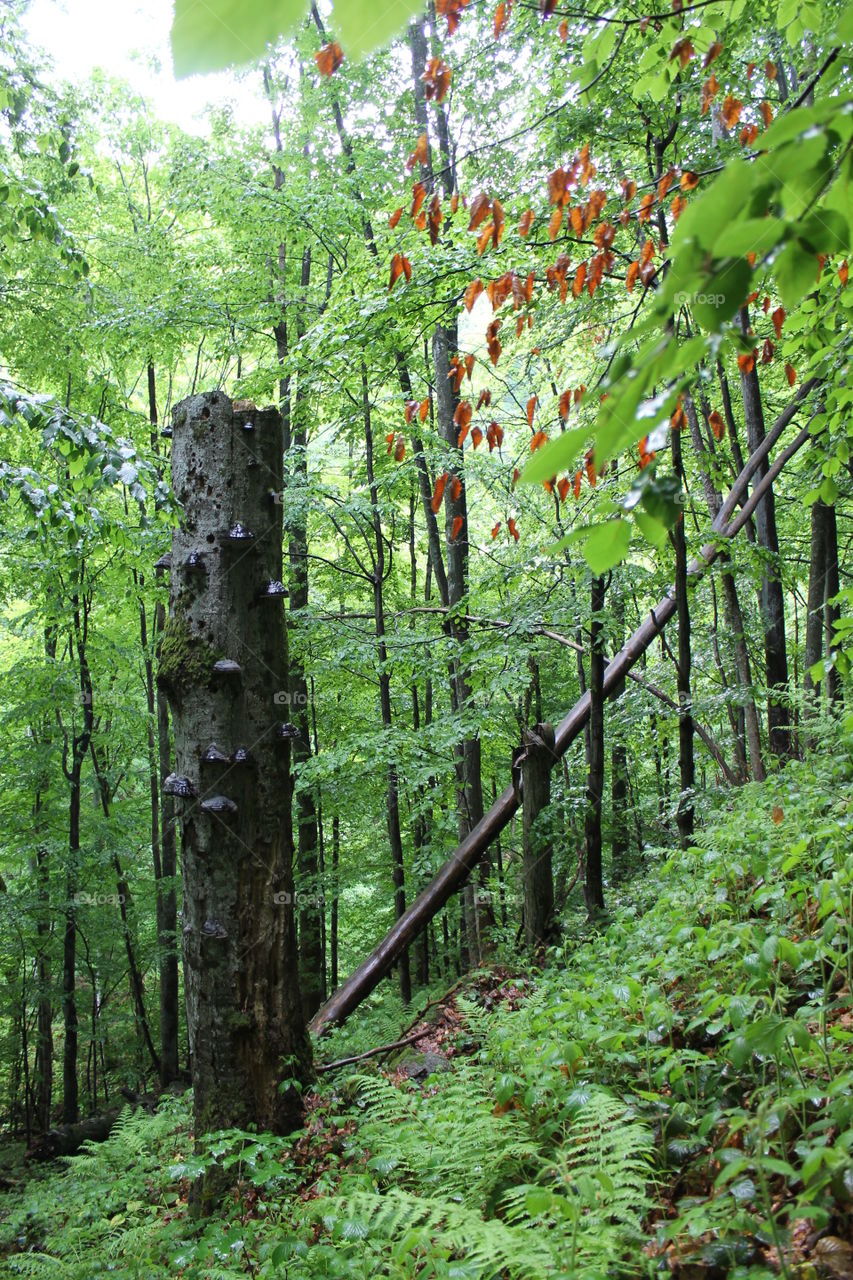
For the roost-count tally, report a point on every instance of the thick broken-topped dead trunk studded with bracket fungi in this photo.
(223, 661)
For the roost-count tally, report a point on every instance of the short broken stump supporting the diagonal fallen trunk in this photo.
(537, 870)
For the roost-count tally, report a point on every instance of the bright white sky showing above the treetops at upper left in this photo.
(130, 40)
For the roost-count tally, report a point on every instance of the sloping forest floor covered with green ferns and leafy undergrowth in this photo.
(670, 1095)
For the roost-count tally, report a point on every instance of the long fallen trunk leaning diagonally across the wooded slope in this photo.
(457, 870)
